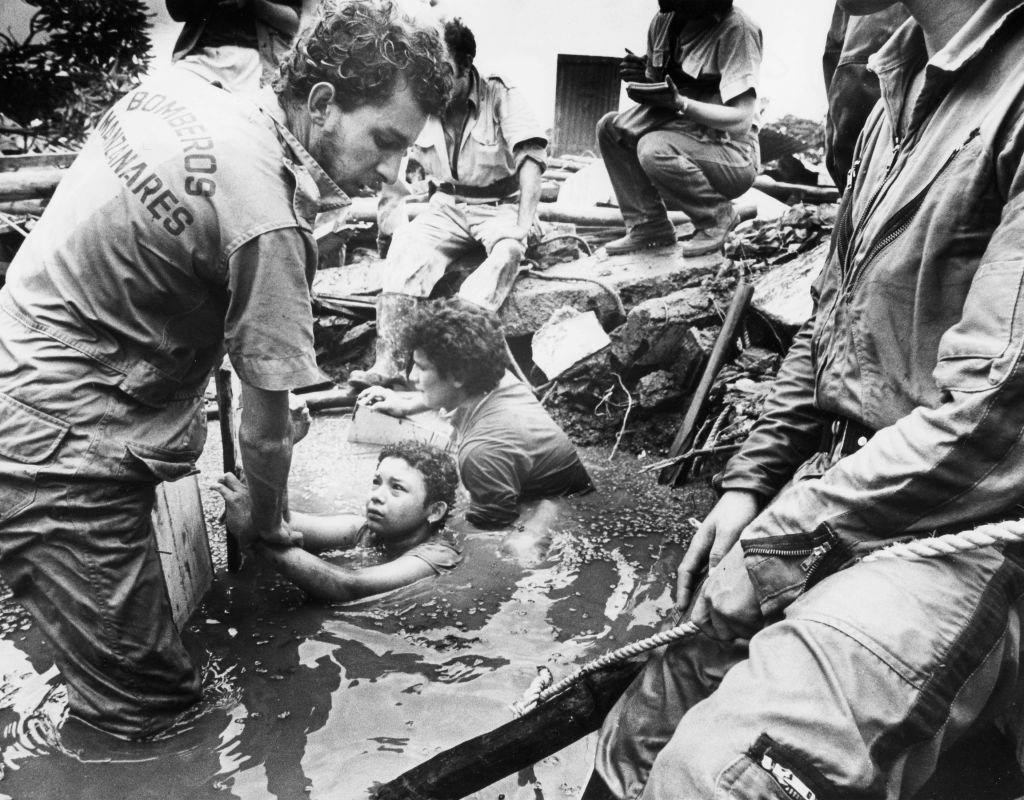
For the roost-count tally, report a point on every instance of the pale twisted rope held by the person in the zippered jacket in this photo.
(989, 535)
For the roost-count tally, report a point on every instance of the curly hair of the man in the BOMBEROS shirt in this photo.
(366, 50)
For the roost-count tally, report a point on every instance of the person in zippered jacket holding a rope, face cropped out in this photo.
(899, 413)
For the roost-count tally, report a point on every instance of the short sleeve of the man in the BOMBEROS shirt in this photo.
(269, 327)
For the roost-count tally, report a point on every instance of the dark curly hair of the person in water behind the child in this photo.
(463, 342)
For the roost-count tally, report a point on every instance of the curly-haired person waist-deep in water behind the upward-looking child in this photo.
(509, 449)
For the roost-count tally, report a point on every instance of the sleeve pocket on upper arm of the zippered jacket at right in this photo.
(979, 352)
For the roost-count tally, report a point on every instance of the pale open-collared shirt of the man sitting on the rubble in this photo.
(501, 133)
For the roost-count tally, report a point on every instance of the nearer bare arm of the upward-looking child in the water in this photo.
(332, 583)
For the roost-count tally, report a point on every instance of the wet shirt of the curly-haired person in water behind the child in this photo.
(510, 449)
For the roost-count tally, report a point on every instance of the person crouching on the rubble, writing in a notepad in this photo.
(693, 147)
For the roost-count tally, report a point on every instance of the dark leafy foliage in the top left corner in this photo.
(78, 58)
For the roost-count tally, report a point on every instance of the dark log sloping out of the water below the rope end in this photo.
(479, 763)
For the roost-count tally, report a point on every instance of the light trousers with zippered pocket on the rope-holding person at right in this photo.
(871, 677)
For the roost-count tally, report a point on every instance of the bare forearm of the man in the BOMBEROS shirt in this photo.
(266, 441)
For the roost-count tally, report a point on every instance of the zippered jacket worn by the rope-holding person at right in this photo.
(918, 330)
